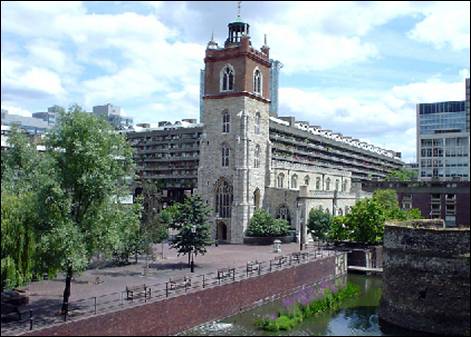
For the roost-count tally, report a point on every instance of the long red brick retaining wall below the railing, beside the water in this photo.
(173, 315)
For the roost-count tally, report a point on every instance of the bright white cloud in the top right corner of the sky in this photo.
(445, 24)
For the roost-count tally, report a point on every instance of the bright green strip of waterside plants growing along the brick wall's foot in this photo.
(329, 302)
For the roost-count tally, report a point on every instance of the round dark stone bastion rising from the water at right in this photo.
(426, 279)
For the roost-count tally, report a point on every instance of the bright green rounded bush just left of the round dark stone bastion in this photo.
(366, 220)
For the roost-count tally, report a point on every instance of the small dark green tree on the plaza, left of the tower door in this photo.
(192, 213)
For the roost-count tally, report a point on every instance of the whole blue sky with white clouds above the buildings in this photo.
(358, 68)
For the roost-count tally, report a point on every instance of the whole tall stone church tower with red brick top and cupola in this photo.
(234, 149)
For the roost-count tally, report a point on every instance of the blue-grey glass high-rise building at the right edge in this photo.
(443, 141)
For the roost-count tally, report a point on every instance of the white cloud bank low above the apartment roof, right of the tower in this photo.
(388, 120)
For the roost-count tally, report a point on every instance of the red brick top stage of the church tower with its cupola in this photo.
(237, 69)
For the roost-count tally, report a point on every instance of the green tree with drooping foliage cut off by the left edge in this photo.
(23, 172)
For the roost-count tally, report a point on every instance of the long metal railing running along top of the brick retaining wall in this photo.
(35, 317)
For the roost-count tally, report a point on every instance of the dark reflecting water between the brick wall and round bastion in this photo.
(357, 317)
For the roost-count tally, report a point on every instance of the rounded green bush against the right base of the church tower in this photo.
(262, 224)
